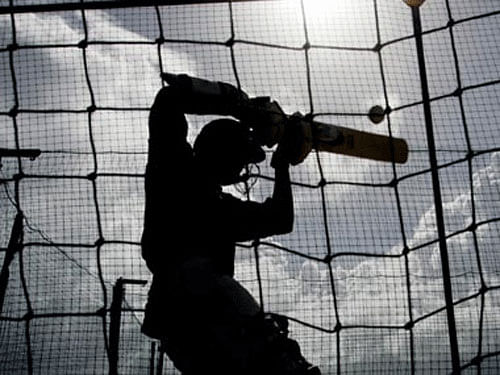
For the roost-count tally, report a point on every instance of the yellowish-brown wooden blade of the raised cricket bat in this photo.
(346, 141)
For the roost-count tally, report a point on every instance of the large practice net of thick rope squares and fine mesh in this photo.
(391, 268)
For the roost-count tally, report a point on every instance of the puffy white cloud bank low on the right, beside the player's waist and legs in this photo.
(374, 291)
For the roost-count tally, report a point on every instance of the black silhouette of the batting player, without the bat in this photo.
(207, 322)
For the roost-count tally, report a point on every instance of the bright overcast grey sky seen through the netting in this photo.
(360, 219)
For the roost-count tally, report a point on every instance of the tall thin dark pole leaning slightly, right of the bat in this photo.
(438, 203)
